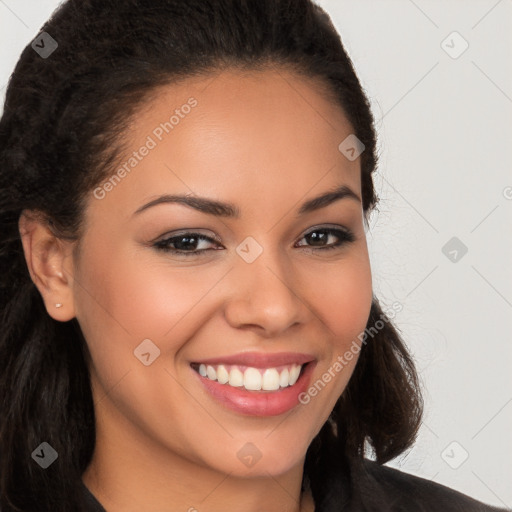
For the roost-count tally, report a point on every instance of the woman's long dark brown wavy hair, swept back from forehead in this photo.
(60, 136)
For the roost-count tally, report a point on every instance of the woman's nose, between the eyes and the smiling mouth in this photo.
(263, 295)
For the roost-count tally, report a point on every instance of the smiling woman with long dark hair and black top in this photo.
(188, 316)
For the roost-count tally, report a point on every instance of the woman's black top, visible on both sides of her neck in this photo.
(401, 492)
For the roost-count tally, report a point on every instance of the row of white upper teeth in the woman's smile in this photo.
(253, 379)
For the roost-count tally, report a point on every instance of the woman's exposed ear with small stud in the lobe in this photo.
(50, 264)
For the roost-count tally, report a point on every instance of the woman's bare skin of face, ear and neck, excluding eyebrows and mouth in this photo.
(265, 141)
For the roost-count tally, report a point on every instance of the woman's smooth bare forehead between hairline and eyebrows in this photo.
(269, 132)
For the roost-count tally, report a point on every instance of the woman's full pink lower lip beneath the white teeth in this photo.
(259, 403)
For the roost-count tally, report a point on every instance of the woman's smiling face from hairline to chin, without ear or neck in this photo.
(259, 295)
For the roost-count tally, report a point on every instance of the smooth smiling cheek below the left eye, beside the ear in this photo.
(138, 294)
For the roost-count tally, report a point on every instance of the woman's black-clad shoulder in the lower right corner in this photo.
(409, 493)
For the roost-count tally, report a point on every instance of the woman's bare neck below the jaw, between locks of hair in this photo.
(130, 473)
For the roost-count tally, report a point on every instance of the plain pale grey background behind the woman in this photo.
(439, 77)
